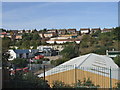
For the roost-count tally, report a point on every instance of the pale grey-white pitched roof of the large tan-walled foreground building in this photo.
(94, 63)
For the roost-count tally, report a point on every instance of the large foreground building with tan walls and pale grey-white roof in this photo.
(93, 66)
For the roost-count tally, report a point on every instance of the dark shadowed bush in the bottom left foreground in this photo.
(28, 80)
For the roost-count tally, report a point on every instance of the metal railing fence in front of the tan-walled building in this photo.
(71, 75)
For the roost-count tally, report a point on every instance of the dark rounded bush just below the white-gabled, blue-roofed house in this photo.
(19, 62)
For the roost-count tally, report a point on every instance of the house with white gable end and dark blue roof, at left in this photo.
(21, 53)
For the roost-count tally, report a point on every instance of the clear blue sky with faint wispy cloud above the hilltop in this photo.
(59, 15)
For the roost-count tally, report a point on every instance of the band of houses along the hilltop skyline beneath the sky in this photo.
(58, 36)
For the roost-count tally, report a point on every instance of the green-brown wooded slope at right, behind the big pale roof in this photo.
(100, 42)
